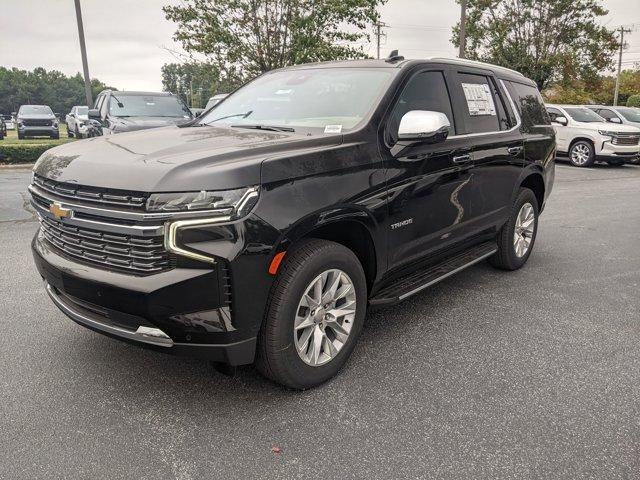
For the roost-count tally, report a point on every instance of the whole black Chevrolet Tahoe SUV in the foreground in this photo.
(262, 231)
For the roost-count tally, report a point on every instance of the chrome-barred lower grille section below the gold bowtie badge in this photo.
(140, 254)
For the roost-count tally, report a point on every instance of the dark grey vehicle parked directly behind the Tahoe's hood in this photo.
(119, 112)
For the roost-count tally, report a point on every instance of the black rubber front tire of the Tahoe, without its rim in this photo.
(277, 357)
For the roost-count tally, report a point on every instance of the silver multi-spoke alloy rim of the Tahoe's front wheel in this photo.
(324, 317)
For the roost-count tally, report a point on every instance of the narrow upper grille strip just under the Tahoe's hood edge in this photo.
(92, 195)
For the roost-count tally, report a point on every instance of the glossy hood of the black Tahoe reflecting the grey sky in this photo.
(173, 158)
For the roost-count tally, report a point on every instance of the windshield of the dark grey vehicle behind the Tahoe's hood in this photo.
(147, 106)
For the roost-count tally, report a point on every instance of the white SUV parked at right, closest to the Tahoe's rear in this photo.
(586, 137)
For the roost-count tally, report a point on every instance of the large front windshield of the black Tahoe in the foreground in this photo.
(332, 99)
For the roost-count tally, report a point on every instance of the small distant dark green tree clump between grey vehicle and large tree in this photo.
(196, 82)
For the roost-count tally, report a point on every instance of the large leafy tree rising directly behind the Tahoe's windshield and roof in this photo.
(244, 38)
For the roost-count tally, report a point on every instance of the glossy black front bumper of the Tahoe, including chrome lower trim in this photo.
(185, 310)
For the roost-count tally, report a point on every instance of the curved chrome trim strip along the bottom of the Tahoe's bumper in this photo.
(153, 336)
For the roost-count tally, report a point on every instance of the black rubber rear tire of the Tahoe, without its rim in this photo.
(506, 257)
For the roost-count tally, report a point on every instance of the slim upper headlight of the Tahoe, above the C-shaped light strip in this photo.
(235, 203)
